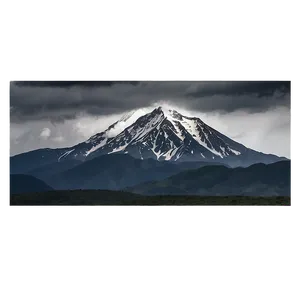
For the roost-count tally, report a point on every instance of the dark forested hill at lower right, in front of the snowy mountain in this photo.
(275, 179)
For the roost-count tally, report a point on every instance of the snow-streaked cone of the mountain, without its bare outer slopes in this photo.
(162, 134)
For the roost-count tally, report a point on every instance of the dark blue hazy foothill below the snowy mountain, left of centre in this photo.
(113, 172)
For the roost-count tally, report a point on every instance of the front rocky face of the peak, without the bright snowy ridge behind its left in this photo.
(168, 135)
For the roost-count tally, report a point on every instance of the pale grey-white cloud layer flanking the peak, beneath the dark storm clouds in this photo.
(268, 132)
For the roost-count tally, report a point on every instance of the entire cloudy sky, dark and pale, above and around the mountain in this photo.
(61, 109)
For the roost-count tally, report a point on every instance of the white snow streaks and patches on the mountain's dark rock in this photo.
(141, 134)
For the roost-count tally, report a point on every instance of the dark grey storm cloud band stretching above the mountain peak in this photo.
(194, 91)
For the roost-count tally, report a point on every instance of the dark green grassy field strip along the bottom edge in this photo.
(94, 198)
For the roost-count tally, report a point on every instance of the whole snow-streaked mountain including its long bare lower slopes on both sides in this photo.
(163, 135)
